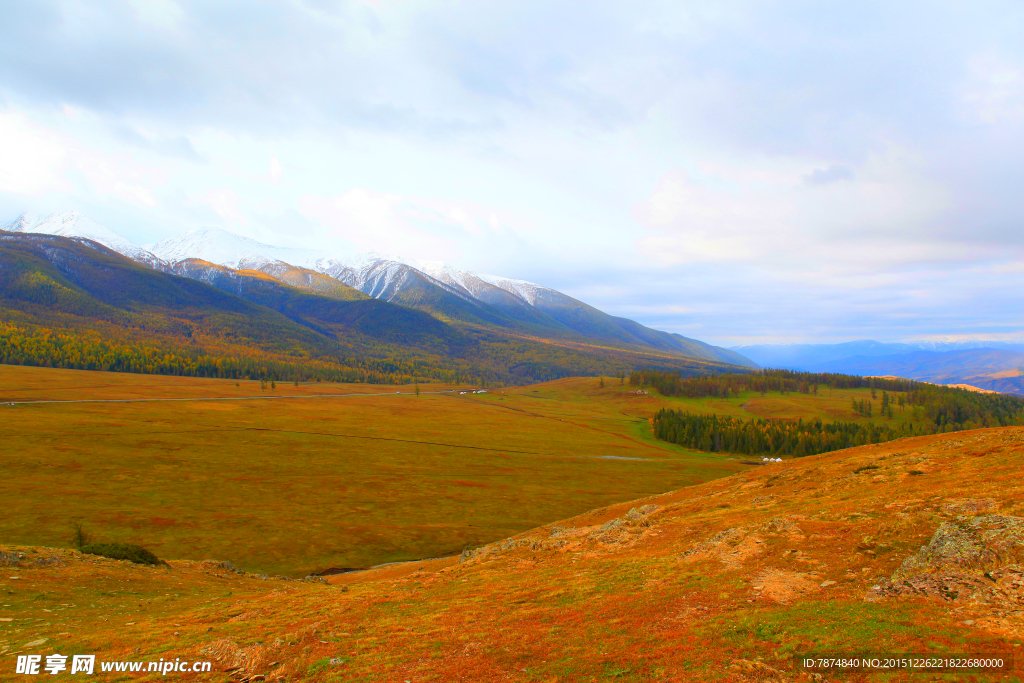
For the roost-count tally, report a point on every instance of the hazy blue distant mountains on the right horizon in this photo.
(988, 365)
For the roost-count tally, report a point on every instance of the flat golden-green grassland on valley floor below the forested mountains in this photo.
(292, 483)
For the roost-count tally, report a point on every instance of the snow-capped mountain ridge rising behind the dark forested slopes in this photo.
(442, 290)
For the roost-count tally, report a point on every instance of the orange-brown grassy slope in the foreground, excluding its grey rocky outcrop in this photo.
(634, 604)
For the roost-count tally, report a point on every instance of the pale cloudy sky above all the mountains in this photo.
(737, 173)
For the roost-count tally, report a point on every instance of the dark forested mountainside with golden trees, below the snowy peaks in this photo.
(73, 304)
